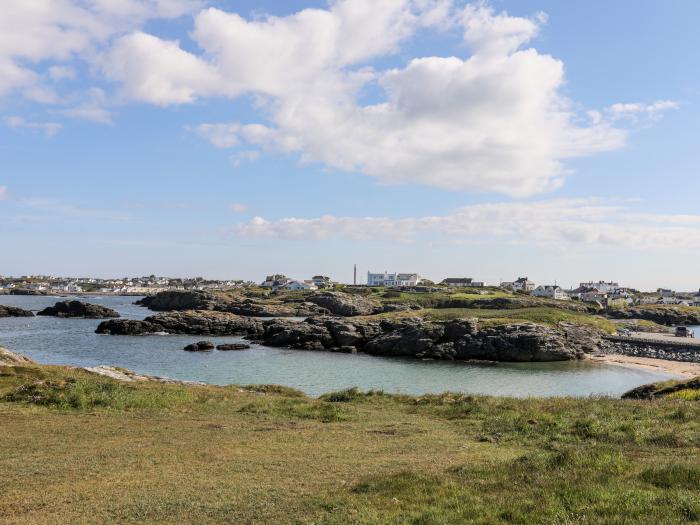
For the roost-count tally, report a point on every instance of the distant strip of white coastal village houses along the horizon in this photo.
(606, 294)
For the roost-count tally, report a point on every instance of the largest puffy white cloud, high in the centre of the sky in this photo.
(492, 120)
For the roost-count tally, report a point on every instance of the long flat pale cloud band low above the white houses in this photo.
(558, 222)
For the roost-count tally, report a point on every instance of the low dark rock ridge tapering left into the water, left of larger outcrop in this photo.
(189, 322)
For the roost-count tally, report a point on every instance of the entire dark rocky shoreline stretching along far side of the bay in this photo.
(406, 337)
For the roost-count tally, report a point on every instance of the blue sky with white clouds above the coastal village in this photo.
(235, 139)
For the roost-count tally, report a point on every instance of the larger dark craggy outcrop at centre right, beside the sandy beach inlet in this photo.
(414, 337)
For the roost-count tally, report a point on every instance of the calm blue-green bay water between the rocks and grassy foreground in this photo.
(73, 342)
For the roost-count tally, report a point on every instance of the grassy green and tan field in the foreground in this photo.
(79, 448)
